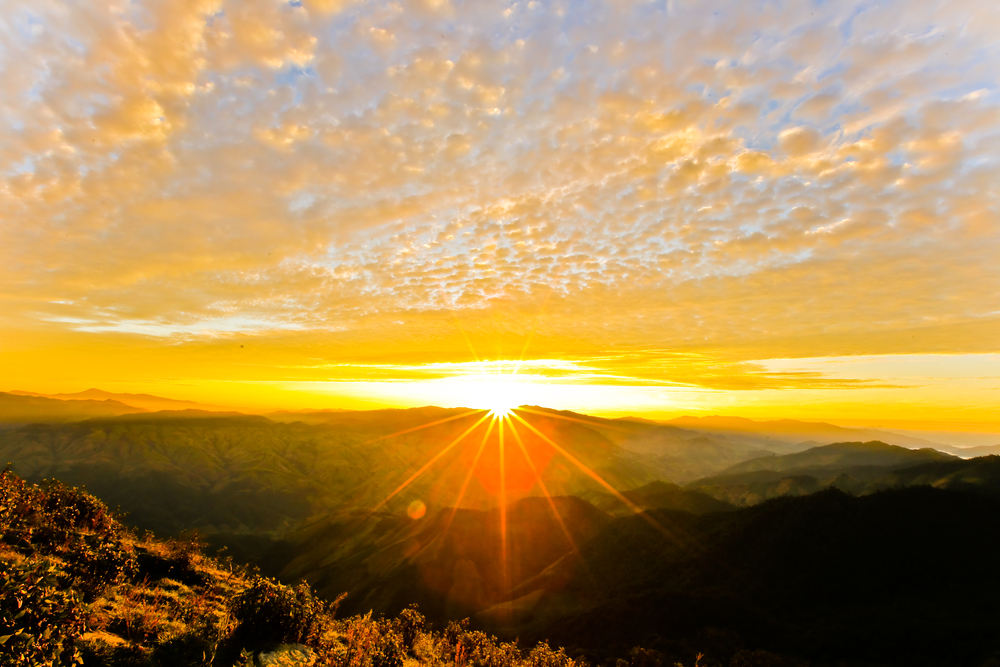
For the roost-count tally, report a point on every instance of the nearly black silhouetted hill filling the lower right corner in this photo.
(895, 578)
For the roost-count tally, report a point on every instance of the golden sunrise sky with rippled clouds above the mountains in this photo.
(753, 208)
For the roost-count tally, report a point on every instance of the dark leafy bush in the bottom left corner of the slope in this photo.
(39, 620)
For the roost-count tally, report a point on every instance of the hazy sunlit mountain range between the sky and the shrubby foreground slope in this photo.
(706, 535)
